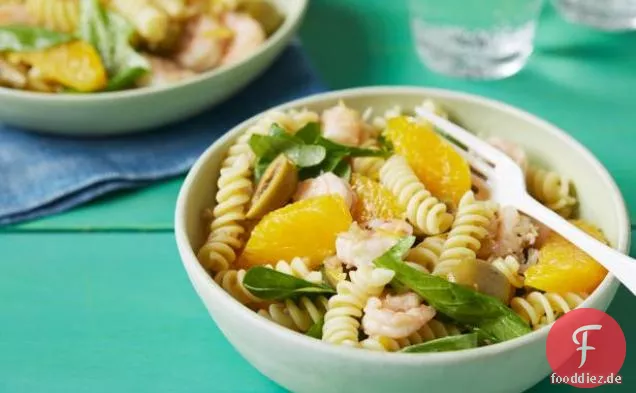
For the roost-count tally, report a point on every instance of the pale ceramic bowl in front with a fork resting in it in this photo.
(302, 364)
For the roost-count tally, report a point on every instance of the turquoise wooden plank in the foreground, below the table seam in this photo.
(116, 312)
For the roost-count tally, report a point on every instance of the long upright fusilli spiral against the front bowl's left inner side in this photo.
(226, 229)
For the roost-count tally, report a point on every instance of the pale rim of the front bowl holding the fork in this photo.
(197, 273)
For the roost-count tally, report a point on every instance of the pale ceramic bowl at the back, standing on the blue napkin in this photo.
(145, 108)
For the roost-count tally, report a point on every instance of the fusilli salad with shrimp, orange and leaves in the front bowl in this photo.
(370, 231)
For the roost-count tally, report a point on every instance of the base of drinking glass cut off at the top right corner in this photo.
(611, 15)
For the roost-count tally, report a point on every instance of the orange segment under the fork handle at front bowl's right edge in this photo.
(562, 267)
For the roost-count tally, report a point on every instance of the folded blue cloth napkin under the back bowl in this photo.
(42, 175)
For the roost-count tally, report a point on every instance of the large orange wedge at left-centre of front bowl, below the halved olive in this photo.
(307, 228)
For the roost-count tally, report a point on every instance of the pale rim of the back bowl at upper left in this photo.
(294, 14)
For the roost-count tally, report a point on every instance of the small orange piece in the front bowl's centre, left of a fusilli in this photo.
(373, 200)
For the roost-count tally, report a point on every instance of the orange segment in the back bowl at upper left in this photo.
(75, 64)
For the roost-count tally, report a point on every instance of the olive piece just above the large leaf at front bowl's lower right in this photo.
(482, 277)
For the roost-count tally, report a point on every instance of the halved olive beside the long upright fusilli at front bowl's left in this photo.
(275, 189)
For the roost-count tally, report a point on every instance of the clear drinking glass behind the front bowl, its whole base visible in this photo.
(479, 39)
